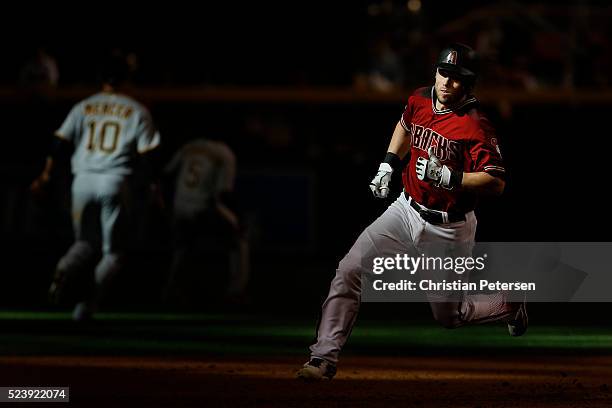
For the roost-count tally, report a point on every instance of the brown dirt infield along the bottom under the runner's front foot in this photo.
(361, 382)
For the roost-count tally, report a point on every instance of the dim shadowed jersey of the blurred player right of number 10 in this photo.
(205, 169)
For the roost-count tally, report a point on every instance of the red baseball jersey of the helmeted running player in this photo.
(463, 139)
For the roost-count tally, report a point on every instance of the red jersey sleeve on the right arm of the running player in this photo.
(484, 150)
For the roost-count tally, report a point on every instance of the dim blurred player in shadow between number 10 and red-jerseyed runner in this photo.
(206, 221)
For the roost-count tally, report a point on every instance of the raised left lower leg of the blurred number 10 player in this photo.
(73, 264)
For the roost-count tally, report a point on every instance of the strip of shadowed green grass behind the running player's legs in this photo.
(37, 333)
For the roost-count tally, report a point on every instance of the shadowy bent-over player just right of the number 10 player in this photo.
(204, 206)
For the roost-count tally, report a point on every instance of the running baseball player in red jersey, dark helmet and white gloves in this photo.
(454, 158)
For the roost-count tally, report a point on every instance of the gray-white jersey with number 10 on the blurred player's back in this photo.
(108, 131)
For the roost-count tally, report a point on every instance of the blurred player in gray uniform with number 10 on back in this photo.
(108, 135)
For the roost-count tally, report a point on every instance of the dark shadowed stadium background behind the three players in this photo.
(295, 90)
